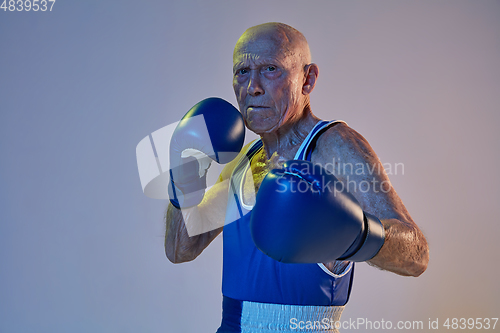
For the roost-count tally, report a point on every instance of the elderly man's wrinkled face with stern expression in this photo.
(267, 81)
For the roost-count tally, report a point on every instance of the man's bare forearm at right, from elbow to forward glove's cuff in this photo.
(405, 251)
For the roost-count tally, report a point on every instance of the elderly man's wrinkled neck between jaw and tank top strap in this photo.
(286, 140)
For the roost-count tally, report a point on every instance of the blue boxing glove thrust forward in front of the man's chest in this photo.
(303, 214)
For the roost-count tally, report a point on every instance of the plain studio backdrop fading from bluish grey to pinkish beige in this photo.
(81, 247)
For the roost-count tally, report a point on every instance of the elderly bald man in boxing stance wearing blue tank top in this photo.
(288, 257)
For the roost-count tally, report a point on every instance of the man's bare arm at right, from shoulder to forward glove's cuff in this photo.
(348, 155)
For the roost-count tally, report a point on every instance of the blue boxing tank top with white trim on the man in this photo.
(250, 275)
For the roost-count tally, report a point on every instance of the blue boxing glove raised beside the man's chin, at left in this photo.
(212, 130)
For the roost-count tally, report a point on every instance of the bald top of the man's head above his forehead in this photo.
(289, 41)
